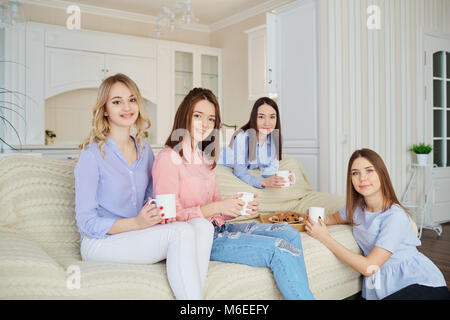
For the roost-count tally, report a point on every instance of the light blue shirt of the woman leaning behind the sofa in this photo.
(237, 158)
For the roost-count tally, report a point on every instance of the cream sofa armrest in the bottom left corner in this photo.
(27, 271)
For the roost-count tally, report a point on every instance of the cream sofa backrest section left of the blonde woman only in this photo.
(37, 198)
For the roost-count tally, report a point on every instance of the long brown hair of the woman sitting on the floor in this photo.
(355, 199)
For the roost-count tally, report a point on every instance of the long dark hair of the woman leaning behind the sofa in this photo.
(251, 124)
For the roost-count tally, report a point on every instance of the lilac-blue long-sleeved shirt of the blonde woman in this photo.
(107, 188)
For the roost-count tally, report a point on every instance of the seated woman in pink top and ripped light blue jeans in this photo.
(186, 168)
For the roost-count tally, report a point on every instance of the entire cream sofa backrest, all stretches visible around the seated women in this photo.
(37, 196)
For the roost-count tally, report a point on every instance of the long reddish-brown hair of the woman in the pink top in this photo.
(183, 120)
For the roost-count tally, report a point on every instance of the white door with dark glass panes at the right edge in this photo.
(437, 122)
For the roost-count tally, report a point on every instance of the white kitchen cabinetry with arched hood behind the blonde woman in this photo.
(59, 61)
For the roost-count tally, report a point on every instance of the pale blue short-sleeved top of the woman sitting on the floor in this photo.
(392, 230)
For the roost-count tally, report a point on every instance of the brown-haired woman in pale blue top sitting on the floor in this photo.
(392, 266)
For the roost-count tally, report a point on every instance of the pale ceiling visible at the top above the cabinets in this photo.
(207, 11)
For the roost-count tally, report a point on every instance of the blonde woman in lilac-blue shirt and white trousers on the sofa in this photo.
(113, 188)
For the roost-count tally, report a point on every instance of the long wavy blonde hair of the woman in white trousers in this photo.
(100, 125)
